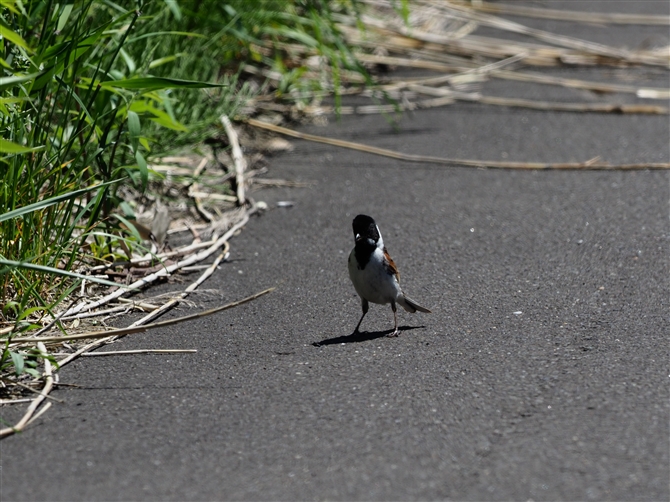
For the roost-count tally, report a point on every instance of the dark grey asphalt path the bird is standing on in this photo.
(541, 374)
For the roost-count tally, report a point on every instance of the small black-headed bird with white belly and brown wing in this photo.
(373, 272)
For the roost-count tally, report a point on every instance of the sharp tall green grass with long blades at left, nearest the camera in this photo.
(71, 107)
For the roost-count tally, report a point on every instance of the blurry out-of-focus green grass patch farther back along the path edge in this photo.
(273, 38)
